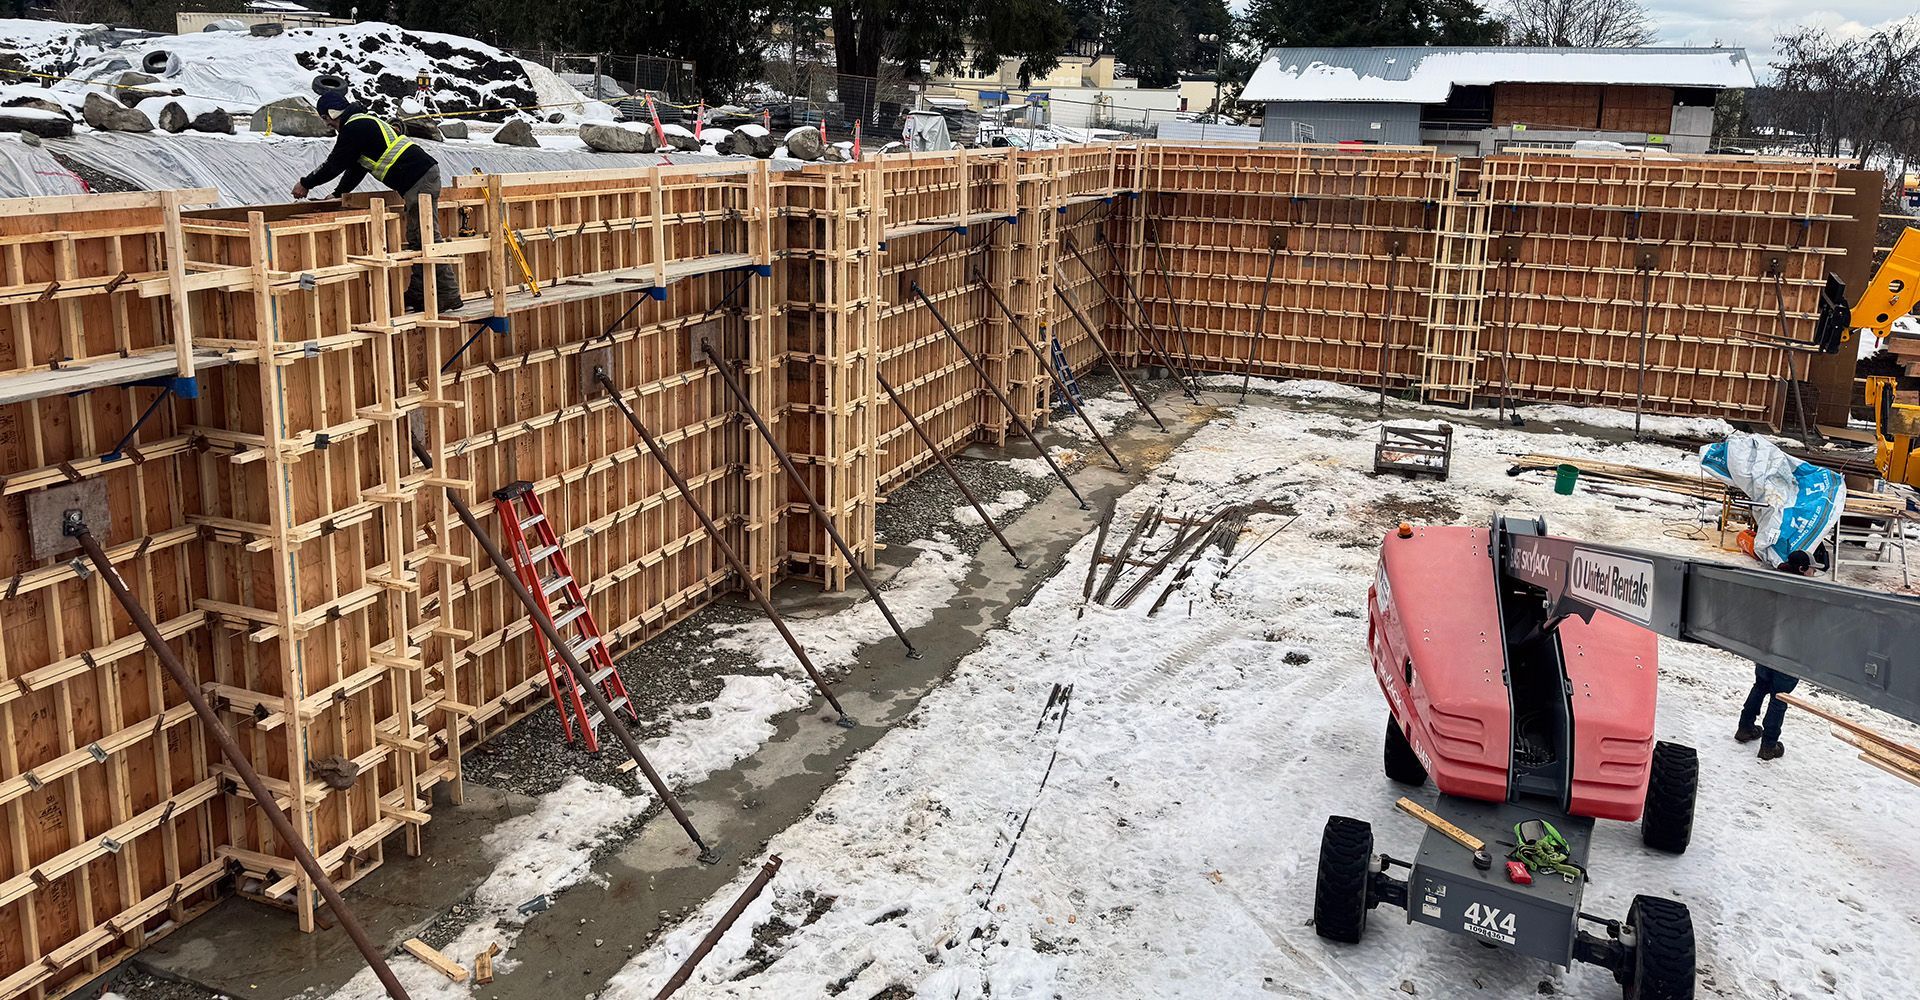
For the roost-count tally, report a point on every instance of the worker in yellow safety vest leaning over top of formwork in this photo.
(366, 147)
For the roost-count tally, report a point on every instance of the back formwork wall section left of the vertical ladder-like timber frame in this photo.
(1351, 239)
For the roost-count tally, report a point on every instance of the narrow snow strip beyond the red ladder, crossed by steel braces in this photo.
(915, 594)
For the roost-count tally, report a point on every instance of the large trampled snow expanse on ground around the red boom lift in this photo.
(1163, 838)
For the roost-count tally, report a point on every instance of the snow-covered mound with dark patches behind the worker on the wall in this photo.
(379, 62)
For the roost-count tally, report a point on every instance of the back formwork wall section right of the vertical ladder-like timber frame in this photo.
(1729, 252)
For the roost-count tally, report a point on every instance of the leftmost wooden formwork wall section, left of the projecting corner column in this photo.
(110, 809)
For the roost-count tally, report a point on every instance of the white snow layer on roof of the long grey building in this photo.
(1429, 74)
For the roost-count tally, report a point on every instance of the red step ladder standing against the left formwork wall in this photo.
(558, 590)
